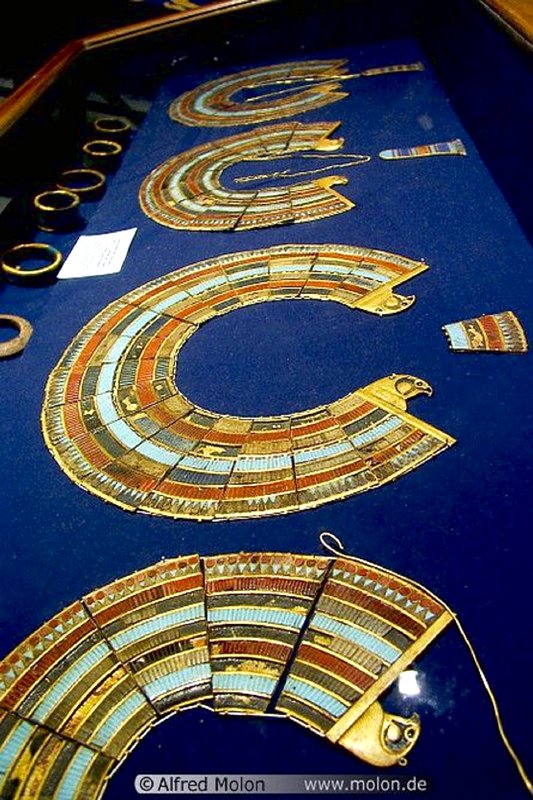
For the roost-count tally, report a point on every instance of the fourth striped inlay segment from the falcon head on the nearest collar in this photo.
(65, 676)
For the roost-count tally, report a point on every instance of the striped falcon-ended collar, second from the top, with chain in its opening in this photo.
(187, 192)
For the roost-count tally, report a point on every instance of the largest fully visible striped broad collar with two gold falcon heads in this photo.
(117, 424)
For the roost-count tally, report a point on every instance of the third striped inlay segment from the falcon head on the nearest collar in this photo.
(155, 623)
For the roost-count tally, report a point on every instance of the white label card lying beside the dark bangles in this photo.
(102, 254)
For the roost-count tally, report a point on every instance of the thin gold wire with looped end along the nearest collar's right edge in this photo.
(340, 552)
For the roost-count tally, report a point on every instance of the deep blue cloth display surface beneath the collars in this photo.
(457, 525)
